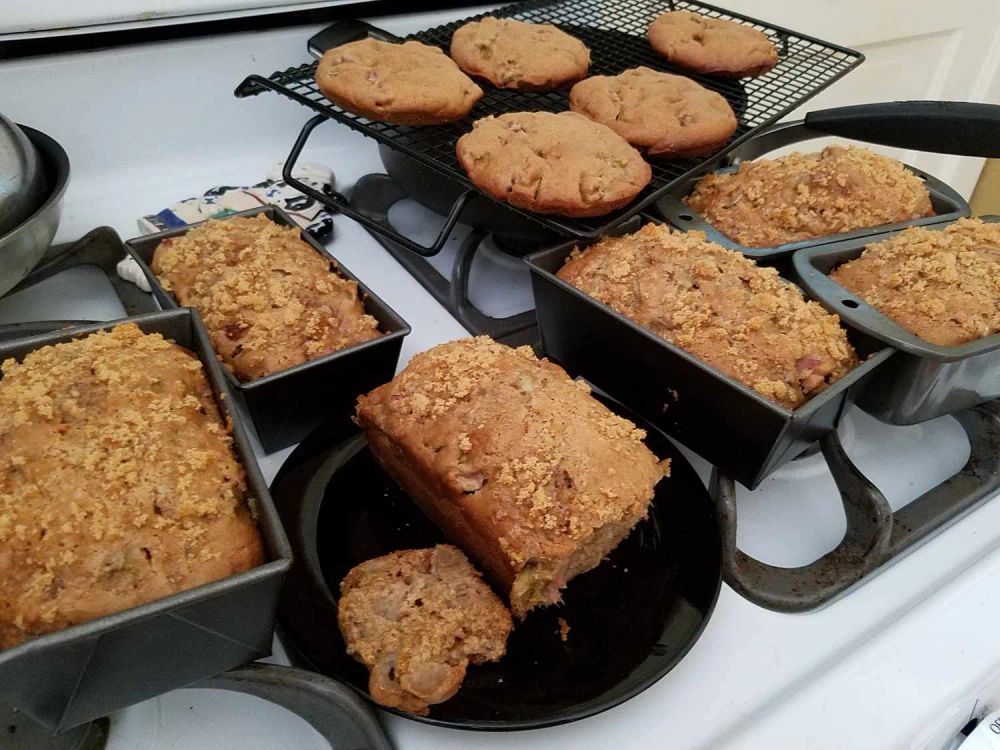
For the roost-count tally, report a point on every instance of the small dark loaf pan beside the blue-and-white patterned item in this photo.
(286, 406)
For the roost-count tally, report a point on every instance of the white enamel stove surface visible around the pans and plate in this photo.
(898, 663)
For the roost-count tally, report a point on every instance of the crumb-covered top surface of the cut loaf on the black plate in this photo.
(555, 463)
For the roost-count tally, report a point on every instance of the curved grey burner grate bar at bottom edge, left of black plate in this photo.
(333, 709)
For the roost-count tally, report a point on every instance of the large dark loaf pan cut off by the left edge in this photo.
(78, 674)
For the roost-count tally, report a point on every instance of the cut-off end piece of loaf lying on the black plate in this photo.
(417, 618)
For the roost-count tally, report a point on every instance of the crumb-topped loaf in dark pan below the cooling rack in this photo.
(741, 319)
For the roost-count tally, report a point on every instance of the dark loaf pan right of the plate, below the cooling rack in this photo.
(726, 422)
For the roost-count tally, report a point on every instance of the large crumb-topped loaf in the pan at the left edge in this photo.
(118, 483)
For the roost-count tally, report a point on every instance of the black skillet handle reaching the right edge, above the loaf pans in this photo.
(960, 128)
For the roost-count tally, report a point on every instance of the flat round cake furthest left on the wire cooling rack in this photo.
(407, 84)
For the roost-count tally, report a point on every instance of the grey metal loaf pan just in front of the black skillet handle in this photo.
(948, 205)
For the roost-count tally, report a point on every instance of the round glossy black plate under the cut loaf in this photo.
(631, 619)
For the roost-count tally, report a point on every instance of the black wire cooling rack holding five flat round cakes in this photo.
(615, 32)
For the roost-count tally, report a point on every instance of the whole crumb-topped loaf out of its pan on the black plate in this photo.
(517, 463)
